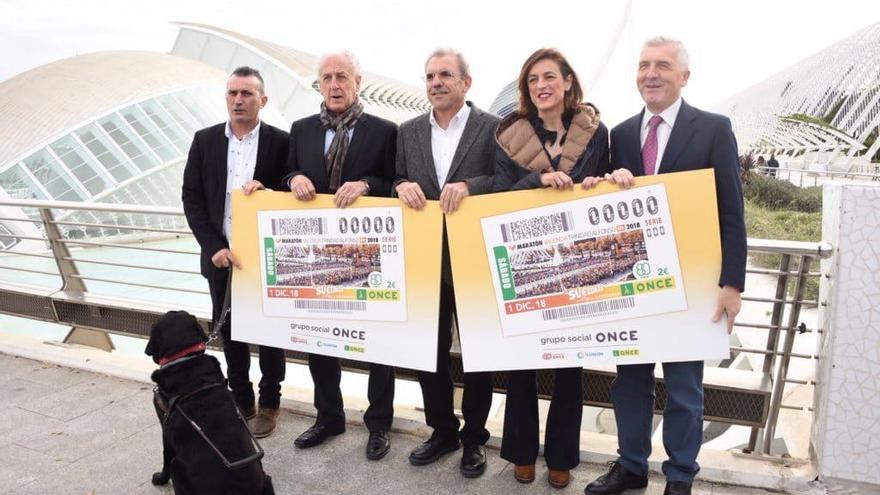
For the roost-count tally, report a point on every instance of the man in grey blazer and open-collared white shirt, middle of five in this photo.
(447, 154)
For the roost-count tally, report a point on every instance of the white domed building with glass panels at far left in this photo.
(109, 127)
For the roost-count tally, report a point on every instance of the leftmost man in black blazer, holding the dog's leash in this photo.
(248, 154)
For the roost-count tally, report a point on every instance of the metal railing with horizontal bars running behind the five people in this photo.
(70, 302)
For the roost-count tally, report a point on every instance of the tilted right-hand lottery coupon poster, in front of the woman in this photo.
(549, 279)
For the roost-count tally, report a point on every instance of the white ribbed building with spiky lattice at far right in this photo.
(823, 111)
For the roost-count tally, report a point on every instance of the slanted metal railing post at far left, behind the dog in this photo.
(72, 284)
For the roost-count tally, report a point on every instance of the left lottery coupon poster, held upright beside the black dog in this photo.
(357, 283)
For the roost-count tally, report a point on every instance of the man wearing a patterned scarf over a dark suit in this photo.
(347, 153)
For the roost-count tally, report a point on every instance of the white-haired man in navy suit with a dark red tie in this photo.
(671, 136)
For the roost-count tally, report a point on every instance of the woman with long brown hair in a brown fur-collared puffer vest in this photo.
(553, 140)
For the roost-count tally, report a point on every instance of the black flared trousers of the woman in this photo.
(562, 436)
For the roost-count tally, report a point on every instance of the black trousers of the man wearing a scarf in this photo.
(327, 373)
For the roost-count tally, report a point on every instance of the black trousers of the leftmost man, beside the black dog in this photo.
(238, 356)
